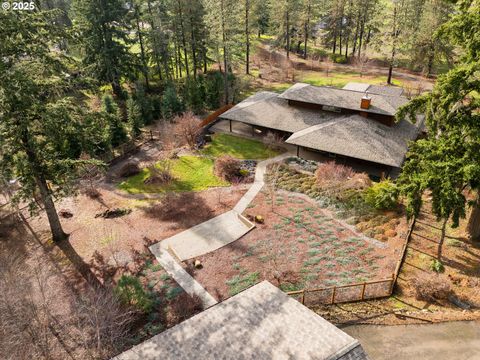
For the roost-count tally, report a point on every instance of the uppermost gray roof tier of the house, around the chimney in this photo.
(345, 99)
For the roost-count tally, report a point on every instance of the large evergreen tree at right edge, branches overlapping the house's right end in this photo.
(447, 163)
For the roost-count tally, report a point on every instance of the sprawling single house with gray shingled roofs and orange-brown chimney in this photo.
(355, 125)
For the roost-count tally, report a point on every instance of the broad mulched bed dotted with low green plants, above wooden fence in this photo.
(299, 246)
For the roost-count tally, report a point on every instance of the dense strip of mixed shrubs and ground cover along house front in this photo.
(345, 193)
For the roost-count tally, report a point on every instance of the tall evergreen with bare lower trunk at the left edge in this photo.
(42, 134)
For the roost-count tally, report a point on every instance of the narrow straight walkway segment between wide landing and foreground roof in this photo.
(175, 270)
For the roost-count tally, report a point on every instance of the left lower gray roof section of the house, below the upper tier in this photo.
(266, 109)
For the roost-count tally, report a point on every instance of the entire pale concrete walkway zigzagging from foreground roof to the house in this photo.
(209, 236)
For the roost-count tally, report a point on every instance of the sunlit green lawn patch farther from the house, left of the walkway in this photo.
(191, 173)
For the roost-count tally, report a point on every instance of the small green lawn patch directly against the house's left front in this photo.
(240, 148)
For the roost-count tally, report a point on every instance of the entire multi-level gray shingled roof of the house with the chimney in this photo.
(345, 134)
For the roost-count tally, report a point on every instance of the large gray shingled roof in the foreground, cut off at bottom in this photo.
(259, 323)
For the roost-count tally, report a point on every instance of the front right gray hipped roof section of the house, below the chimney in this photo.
(360, 138)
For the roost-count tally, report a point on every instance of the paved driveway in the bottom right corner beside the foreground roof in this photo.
(453, 340)
